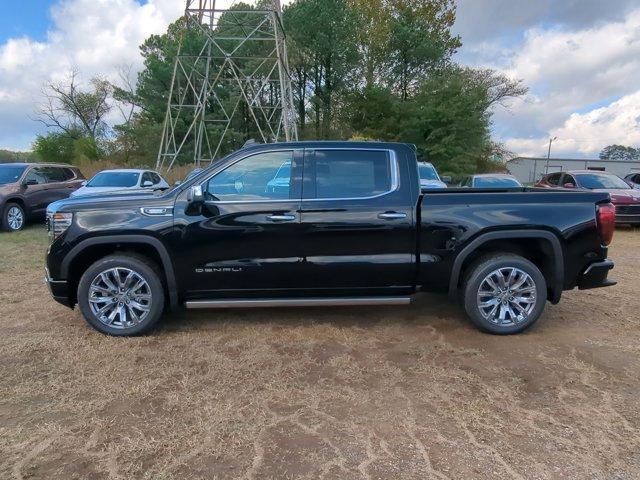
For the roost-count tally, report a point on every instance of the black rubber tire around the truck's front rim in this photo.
(122, 261)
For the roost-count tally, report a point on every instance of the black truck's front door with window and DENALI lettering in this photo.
(246, 235)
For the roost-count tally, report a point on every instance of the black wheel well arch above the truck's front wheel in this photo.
(93, 253)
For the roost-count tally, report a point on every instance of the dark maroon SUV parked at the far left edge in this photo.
(26, 190)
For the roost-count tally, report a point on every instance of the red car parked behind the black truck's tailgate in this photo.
(625, 198)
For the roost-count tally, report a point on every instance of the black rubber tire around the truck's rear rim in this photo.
(494, 263)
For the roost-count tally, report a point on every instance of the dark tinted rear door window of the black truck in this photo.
(341, 174)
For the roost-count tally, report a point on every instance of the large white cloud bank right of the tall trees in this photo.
(576, 76)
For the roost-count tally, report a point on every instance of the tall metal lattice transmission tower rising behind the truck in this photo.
(237, 71)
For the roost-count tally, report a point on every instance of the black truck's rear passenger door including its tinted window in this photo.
(365, 240)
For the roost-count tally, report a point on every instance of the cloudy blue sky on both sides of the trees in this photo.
(580, 59)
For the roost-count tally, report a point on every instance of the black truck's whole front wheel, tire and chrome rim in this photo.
(121, 295)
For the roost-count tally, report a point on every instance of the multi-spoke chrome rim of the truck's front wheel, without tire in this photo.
(120, 298)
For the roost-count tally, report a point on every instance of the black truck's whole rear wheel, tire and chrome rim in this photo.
(504, 294)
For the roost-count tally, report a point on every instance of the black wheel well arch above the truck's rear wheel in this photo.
(537, 250)
